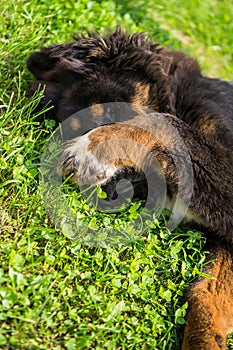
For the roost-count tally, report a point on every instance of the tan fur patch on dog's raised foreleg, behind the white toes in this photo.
(126, 144)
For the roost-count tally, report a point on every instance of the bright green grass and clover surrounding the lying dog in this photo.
(54, 292)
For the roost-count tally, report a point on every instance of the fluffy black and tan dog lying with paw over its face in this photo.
(94, 70)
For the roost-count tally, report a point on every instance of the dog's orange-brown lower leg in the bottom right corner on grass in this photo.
(210, 313)
